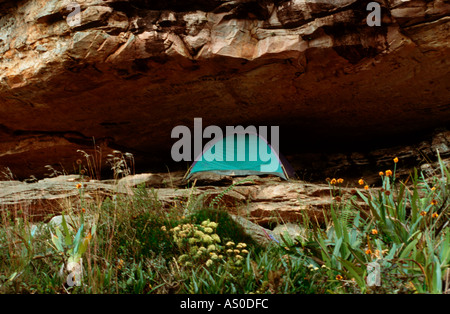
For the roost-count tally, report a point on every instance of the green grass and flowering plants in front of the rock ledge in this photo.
(125, 244)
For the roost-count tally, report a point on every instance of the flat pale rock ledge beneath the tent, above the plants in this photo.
(267, 202)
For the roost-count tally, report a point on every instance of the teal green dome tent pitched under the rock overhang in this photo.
(241, 154)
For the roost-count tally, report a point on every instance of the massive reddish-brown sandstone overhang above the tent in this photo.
(132, 70)
